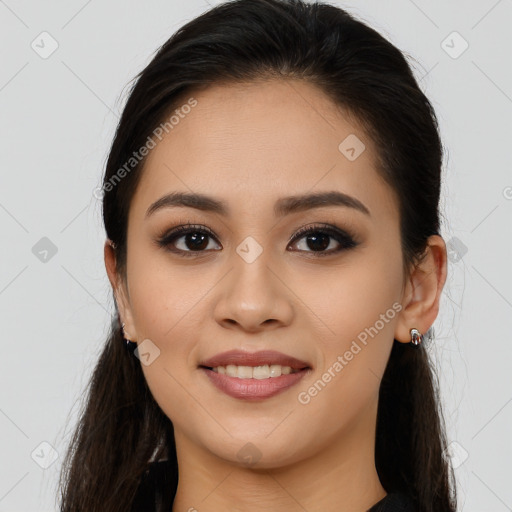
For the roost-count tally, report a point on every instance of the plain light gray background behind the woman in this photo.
(58, 116)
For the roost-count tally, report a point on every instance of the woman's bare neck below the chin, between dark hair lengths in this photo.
(340, 477)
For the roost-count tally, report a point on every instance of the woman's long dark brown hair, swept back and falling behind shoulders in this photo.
(121, 428)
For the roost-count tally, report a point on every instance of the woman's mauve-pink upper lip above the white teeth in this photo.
(241, 358)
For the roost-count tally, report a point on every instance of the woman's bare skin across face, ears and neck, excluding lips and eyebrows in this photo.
(249, 145)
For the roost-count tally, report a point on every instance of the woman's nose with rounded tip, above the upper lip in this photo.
(253, 297)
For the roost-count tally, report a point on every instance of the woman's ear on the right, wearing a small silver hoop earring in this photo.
(422, 291)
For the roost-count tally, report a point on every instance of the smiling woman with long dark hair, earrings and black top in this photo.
(271, 208)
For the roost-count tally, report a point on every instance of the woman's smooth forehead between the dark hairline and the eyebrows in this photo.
(249, 144)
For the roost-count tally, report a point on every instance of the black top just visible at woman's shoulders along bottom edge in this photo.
(160, 476)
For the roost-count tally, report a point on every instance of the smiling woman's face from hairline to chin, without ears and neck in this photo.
(243, 279)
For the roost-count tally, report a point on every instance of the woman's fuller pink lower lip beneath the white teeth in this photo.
(253, 389)
